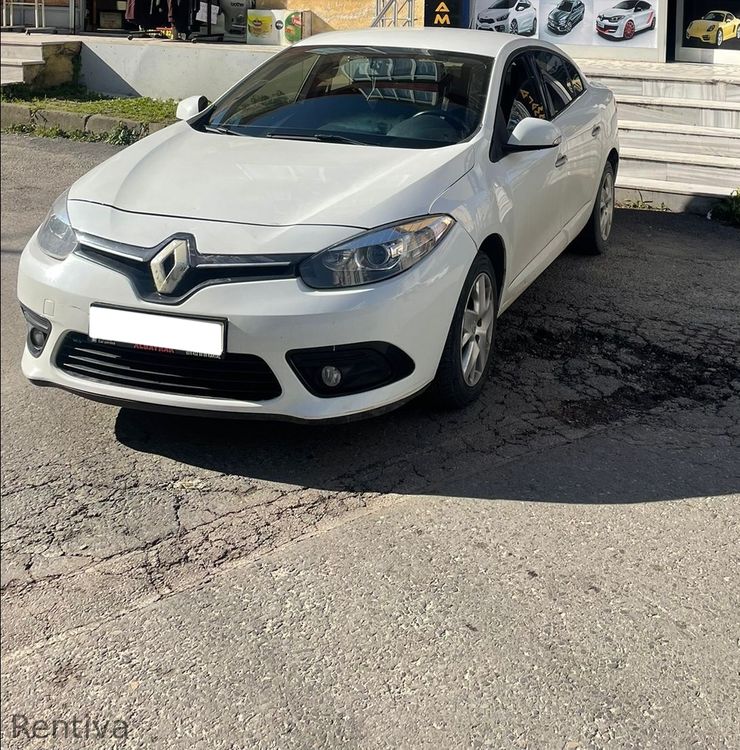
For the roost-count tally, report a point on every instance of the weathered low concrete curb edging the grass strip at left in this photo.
(12, 113)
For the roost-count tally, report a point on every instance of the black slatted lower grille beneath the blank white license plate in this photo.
(242, 377)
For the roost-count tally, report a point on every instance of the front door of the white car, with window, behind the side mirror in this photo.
(525, 185)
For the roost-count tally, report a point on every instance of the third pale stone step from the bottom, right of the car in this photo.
(690, 139)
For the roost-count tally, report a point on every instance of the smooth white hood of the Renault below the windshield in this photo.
(180, 172)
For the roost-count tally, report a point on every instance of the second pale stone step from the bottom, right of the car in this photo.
(673, 166)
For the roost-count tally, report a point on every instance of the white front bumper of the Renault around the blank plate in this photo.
(265, 318)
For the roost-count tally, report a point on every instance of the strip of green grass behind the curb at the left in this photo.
(75, 98)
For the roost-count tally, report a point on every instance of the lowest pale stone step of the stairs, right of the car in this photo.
(675, 196)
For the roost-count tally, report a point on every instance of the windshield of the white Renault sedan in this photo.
(376, 96)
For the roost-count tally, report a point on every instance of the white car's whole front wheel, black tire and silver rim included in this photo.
(467, 355)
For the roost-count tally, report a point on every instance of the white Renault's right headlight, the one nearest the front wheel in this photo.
(375, 255)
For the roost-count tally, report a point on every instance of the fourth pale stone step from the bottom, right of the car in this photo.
(680, 111)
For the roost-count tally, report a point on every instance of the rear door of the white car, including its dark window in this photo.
(569, 109)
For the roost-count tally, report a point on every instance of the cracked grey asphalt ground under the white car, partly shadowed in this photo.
(554, 567)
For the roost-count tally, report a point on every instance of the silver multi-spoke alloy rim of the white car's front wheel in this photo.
(477, 329)
